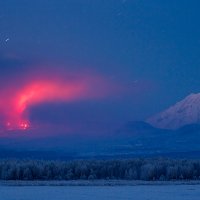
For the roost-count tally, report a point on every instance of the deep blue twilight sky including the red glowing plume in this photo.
(94, 65)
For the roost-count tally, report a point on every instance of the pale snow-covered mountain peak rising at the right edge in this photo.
(182, 113)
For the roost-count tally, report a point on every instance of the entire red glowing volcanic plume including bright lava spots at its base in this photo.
(15, 104)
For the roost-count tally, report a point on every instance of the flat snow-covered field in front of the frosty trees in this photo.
(139, 192)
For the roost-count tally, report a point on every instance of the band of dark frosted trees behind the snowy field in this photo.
(130, 169)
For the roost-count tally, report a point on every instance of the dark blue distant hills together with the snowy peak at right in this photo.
(172, 133)
